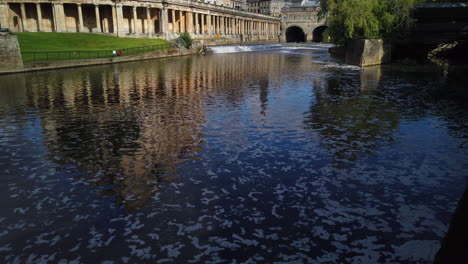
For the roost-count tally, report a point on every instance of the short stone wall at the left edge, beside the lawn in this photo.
(10, 54)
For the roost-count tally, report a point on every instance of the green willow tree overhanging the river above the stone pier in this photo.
(356, 19)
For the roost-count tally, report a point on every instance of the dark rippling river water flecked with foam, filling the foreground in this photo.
(284, 156)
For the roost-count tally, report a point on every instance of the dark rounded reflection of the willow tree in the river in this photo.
(350, 121)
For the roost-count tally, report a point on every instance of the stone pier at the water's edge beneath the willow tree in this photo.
(367, 52)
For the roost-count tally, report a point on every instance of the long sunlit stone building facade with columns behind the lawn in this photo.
(150, 18)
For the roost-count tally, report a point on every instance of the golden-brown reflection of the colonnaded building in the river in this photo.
(128, 126)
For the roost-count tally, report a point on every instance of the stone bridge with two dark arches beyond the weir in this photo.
(301, 22)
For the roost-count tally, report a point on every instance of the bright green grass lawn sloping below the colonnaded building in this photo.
(73, 45)
